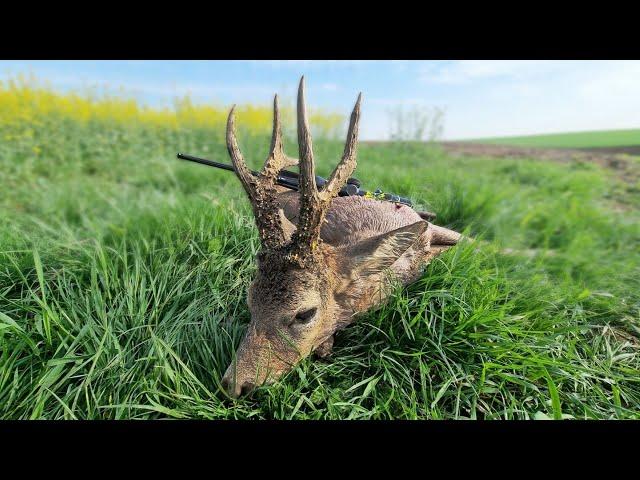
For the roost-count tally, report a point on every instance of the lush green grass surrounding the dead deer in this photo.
(123, 274)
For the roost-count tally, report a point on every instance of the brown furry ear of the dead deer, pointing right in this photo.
(377, 253)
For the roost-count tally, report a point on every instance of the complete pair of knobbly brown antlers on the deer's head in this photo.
(274, 228)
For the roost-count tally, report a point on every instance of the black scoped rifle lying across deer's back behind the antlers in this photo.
(290, 180)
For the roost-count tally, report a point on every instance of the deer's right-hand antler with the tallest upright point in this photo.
(314, 203)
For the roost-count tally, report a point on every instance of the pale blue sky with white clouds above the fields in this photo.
(480, 98)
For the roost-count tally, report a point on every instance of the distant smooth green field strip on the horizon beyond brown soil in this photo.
(603, 138)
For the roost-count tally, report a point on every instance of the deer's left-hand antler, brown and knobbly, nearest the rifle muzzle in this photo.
(274, 229)
